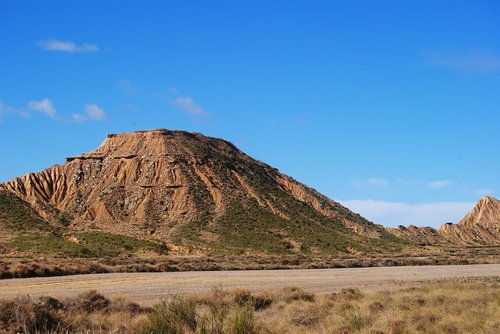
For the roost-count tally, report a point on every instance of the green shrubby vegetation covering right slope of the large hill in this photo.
(246, 227)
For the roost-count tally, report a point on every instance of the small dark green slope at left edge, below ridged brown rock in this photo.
(16, 215)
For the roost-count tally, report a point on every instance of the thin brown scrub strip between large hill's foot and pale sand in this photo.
(42, 267)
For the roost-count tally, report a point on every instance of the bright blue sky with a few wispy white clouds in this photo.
(391, 107)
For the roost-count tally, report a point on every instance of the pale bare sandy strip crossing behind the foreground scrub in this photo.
(149, 288)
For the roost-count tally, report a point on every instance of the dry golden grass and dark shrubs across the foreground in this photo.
(448, 306)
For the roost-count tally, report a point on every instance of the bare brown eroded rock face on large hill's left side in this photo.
(131, 177)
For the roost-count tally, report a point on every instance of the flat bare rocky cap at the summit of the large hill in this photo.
(157, 142)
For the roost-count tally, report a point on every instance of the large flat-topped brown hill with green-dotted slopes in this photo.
(192, 193)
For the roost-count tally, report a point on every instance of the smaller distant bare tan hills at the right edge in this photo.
(481, 226)
